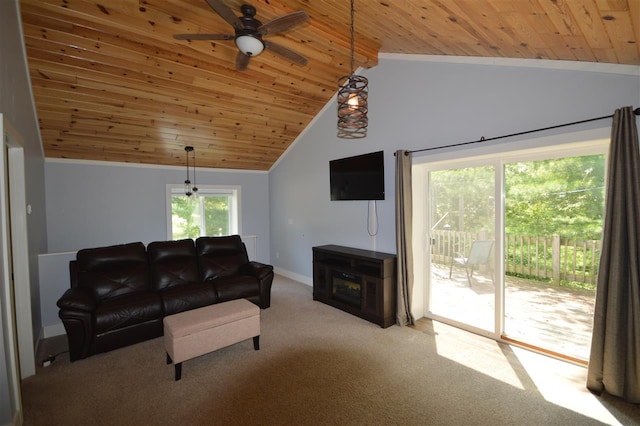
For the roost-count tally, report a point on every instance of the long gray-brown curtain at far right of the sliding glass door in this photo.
(614, 363)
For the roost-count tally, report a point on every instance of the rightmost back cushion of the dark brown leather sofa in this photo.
(220, 256)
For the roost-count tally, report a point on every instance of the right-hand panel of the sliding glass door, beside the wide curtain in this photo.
(553, 225)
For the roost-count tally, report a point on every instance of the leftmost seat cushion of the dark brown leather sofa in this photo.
(127, 310)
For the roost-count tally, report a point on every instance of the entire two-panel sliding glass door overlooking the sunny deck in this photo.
(514, 244)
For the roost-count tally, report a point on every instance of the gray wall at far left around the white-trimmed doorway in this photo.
(16, 104)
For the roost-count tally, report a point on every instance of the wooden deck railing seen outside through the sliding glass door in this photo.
(554, 257)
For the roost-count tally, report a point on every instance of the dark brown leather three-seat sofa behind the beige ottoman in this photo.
(120, 294)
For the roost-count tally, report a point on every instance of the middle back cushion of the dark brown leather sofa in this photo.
(172, 263)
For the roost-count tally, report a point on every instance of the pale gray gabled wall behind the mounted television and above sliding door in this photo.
(415, 104)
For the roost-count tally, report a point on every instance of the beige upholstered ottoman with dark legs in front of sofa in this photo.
(193, 333)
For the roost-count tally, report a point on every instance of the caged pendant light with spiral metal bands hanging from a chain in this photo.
(352, 100)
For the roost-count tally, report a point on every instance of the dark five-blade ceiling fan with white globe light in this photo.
(249, 32)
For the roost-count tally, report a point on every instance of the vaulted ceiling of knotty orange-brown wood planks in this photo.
(112, 84)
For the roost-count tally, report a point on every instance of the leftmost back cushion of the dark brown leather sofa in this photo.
(114, 270)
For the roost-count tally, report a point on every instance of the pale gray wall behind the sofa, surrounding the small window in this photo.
(94, 204)
